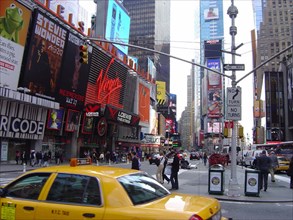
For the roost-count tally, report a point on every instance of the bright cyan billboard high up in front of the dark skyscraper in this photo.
(117, 25)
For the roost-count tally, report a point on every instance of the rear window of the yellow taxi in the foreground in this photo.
(142, 188)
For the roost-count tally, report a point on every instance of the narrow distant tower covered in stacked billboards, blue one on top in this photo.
(211, 36)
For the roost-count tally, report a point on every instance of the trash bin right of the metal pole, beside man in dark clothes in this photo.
(252, 180)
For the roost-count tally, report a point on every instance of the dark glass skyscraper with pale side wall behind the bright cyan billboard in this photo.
(150, 28)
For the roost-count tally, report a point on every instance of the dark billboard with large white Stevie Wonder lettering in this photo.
(44, 58)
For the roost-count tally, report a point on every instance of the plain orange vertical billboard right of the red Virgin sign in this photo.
(144, 103)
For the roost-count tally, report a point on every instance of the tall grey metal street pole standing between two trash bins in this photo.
(234, 189)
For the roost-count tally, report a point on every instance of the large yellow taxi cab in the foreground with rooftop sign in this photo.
(82, 191)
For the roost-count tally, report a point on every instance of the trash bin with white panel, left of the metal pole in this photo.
(216, 179)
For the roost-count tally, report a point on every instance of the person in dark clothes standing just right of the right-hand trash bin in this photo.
(263, 164)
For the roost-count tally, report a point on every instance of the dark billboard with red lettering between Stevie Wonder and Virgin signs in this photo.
(74, 76)
